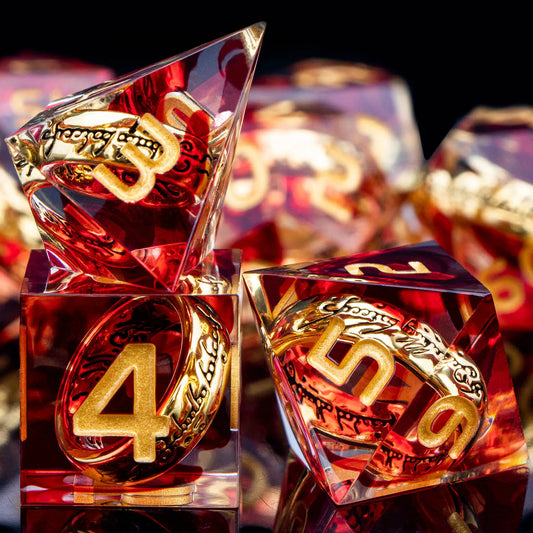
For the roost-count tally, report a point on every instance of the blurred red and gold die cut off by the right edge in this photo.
(476, 198)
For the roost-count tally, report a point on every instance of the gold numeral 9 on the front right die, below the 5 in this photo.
(464, 414)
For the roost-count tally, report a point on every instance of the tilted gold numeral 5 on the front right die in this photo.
(339, 374)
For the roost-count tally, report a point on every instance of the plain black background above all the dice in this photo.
(453, 57)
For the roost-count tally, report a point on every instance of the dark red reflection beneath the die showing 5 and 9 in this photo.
(490, 504)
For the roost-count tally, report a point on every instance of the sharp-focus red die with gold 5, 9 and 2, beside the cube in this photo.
(389, 370)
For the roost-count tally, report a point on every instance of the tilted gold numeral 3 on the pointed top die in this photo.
(146, 166)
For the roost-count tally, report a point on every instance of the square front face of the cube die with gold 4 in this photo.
(129, 397)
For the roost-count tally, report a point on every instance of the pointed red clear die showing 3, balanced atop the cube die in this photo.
(126, 180)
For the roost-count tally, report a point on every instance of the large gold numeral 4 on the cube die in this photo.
(144, 425)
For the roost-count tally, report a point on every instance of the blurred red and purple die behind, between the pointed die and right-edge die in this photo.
(324, 159)
